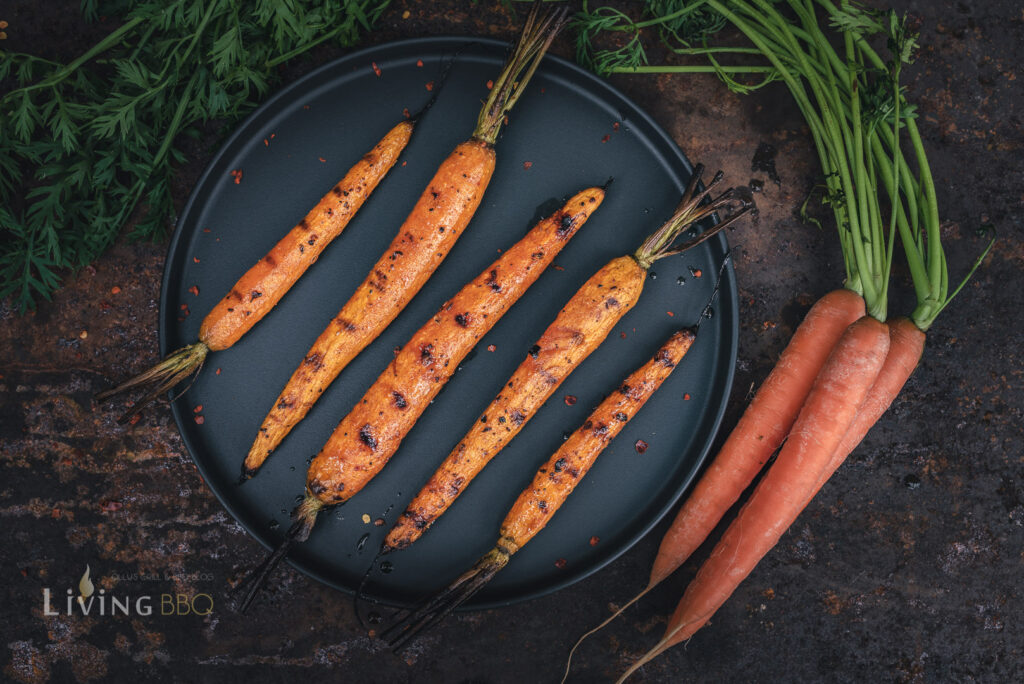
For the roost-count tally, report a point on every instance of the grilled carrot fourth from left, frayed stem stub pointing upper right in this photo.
(580, 329)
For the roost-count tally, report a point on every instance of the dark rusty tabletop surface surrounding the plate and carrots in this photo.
(906, 568)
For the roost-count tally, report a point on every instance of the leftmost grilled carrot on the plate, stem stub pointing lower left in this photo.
(264, 285)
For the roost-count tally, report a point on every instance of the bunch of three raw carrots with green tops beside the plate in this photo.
(847, 362)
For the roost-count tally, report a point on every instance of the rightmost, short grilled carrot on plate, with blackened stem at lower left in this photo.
(552, 485)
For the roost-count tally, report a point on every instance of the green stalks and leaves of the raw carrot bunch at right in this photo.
(854, 105)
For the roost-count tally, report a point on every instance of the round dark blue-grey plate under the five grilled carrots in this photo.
(566, 127)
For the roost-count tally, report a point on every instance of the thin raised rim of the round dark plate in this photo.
(454, 44)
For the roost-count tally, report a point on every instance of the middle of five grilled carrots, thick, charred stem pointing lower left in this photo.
(371, 434)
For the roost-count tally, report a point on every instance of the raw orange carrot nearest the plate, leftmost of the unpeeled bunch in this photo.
(765, 424)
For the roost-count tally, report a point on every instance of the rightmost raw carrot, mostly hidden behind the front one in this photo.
(907, 345)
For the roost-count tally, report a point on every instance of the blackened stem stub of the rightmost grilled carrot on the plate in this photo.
(408, 624)
